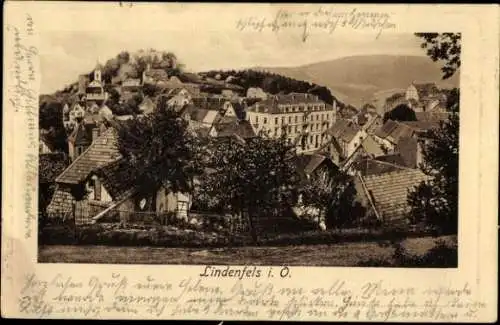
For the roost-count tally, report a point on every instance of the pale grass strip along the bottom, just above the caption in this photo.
(347, 254)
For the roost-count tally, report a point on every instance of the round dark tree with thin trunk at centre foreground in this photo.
(255, 177)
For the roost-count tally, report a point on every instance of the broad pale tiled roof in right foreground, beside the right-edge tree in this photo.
(389, 191)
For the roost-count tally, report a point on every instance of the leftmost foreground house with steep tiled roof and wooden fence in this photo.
(99, 183)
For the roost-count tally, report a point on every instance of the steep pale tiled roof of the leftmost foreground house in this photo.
(102, 151)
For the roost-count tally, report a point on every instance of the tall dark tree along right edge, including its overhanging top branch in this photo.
(435, 202)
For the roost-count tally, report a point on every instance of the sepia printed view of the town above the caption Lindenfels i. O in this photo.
(208, 150)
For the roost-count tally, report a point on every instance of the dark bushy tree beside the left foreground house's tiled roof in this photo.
(160, 151)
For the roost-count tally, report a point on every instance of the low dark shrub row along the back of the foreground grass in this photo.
(170, 236)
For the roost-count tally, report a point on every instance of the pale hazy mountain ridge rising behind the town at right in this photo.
(358, 80)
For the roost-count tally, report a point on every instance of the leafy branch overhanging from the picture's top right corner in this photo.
(445, 47)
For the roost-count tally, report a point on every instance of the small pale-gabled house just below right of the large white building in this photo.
(344, 138)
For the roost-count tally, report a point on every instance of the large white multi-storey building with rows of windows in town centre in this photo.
(302, 118)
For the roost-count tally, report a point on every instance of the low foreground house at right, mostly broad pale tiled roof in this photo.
(385, 195)
